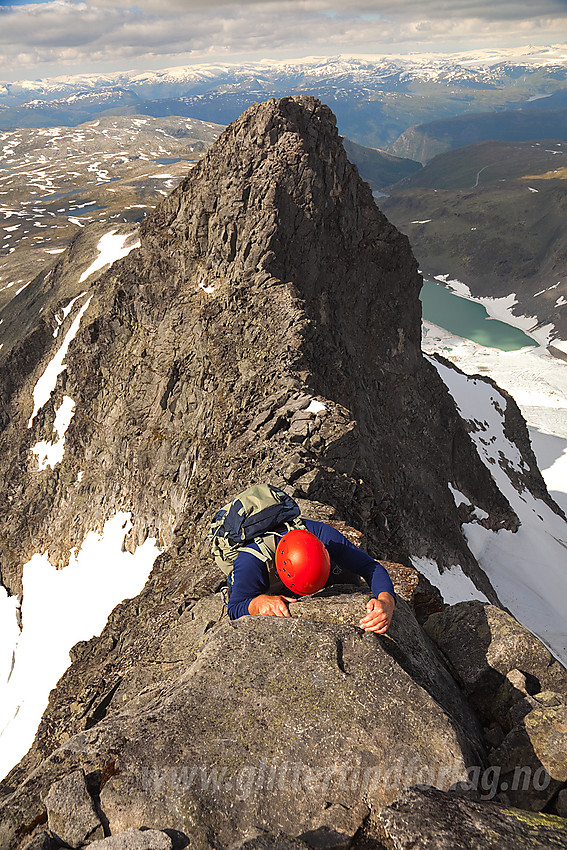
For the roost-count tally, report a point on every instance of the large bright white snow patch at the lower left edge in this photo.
(59, 608)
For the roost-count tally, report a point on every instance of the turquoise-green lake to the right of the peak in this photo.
(468, 319)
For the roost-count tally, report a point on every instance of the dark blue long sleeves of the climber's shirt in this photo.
(250, 575)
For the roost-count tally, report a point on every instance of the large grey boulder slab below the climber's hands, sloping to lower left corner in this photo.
(293, 725)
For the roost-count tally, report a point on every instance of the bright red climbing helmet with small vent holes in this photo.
(302, 562)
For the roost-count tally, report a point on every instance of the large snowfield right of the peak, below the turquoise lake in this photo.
(528, 568)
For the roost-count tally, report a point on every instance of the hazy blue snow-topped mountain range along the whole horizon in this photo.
(375, 99)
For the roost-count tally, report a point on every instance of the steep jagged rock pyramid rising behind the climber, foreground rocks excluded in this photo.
(268, 273)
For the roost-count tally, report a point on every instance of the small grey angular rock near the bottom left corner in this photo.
(71, 814)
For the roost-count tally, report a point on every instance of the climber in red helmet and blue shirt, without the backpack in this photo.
(305, 561)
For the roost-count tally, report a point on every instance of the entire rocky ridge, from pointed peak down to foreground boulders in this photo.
(268, 280)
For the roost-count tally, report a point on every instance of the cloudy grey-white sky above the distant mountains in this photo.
(50, 37)
